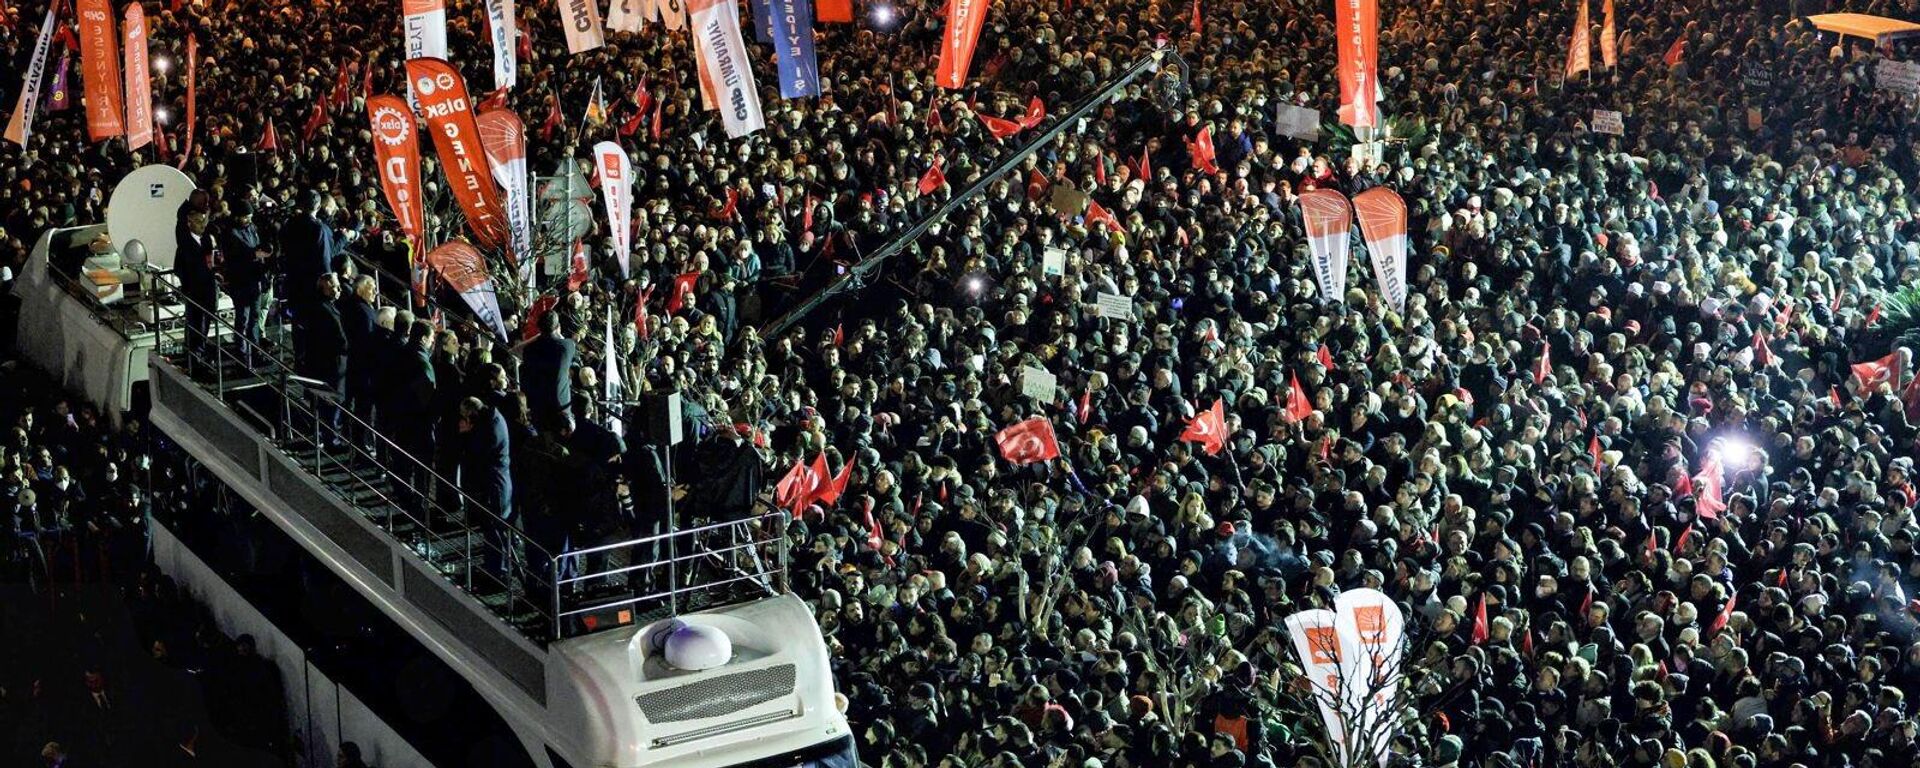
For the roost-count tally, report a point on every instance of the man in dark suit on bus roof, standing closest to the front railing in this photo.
(487, 477)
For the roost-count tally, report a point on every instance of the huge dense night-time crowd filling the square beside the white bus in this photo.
(1593, 322)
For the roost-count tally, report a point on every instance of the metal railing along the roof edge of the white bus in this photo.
(552, 592)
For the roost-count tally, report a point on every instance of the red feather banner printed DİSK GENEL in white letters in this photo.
(450, 120)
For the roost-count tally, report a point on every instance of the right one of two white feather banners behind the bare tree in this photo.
(1370, 629)
